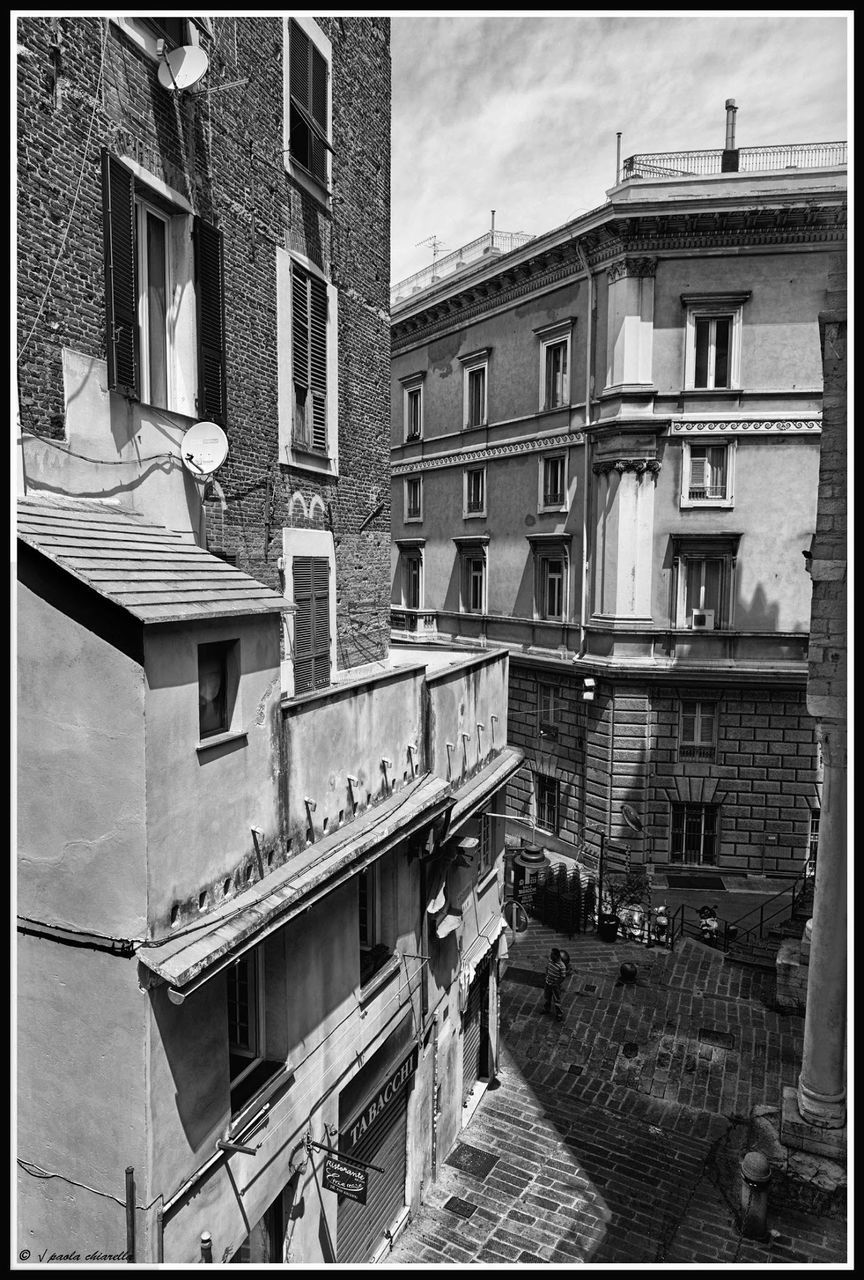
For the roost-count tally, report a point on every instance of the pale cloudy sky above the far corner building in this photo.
(519, 113)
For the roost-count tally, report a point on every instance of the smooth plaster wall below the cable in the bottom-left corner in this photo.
(81, 1098)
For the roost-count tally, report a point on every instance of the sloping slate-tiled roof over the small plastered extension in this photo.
(153, 573)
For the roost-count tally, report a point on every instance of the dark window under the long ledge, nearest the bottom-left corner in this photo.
(249, 1066)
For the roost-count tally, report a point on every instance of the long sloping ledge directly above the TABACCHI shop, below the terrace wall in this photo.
(190, 959)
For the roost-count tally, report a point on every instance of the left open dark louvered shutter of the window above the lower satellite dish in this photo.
(121, 278)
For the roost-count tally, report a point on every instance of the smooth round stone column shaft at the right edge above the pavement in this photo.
(822, 1085)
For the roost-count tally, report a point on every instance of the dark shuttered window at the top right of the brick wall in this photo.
(309, 103)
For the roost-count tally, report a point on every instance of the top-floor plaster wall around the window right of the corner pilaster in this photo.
(780, 331)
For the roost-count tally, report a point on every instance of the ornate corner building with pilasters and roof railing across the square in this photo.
(606, 456)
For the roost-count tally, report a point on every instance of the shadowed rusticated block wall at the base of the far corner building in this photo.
(624, 749)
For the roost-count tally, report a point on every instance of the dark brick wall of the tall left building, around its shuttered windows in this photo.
(225, 156)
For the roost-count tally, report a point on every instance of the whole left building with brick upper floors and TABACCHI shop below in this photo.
(259, 890)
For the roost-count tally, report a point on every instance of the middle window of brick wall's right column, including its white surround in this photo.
(308, 365)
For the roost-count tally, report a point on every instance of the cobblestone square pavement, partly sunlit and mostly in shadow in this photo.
(615, 1136)
